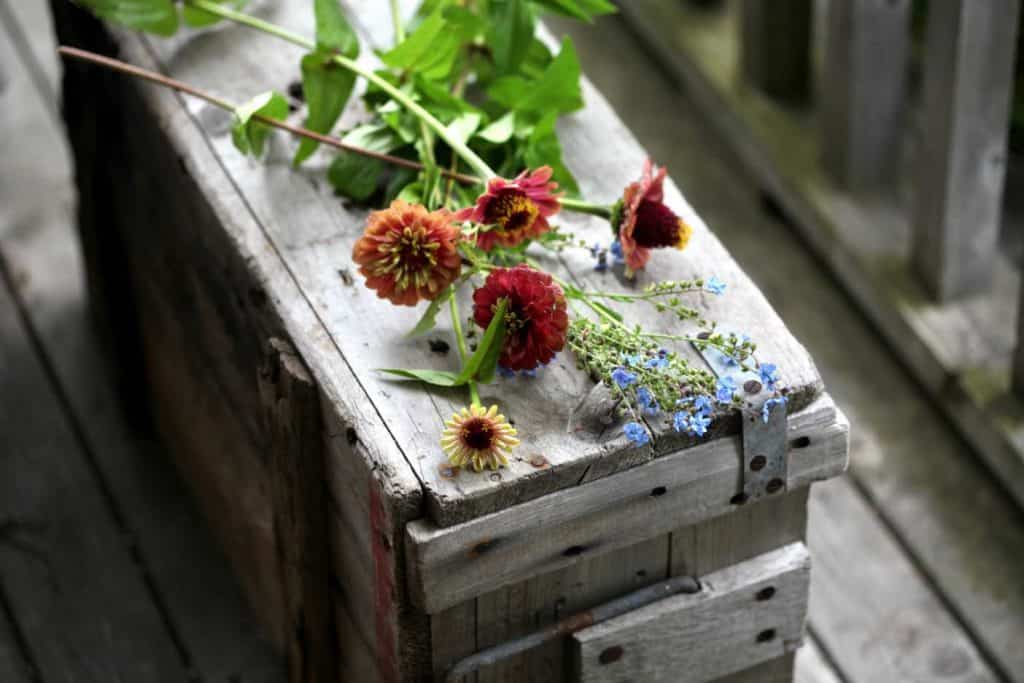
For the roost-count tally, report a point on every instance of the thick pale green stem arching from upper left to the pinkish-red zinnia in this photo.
(479, 165)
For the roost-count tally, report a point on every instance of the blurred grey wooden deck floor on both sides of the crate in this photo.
(107, 573)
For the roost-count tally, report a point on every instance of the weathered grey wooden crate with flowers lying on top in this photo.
(227, 288)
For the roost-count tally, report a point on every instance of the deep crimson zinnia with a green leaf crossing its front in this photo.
(536, 317)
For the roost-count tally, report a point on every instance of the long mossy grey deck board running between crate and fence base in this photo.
(960, 529)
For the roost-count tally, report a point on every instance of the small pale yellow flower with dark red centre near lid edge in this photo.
(479, 437)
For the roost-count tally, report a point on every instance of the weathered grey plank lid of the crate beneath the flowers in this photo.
(298, 238)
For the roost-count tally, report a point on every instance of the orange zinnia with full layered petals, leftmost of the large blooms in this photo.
(407, 253)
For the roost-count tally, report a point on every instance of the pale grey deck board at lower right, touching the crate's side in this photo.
(868, 603)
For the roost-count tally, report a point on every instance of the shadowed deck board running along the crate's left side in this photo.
(39, 245)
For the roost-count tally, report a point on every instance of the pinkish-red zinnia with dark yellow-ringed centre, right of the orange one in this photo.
(515, 210)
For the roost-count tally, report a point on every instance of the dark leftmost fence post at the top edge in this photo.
(777, 53)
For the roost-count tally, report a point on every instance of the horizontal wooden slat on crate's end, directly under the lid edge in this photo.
(452, 565)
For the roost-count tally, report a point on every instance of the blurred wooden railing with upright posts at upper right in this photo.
(881, 129)
